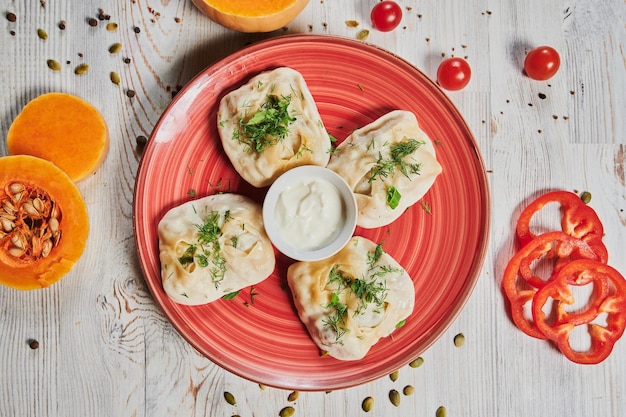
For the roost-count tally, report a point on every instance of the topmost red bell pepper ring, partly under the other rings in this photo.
(578, 220)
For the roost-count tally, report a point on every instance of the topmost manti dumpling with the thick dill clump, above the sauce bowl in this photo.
(270, 125)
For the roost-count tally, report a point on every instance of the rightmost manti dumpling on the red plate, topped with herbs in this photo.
(390, 164)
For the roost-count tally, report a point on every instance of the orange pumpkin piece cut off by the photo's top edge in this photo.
(251, 15)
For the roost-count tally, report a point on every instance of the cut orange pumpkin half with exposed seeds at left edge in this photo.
(43, 222)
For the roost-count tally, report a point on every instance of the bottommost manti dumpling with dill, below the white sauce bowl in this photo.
(352, 299)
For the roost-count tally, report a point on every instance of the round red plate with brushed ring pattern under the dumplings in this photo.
(261, 338)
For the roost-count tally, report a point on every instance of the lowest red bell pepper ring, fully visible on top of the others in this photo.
(609, 297)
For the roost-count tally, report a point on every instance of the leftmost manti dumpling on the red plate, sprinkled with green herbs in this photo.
(213, 246)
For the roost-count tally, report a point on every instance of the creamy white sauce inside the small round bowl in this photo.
(309, 213)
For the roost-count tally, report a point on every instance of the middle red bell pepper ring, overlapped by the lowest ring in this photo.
(519, 282)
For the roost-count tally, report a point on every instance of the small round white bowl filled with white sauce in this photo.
(309, 213)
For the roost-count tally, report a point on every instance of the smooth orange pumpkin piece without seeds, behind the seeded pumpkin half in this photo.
(63, 129)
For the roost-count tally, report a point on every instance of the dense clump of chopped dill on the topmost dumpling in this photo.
(267, 126)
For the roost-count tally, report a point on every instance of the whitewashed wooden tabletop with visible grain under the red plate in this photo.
(106, 349)
